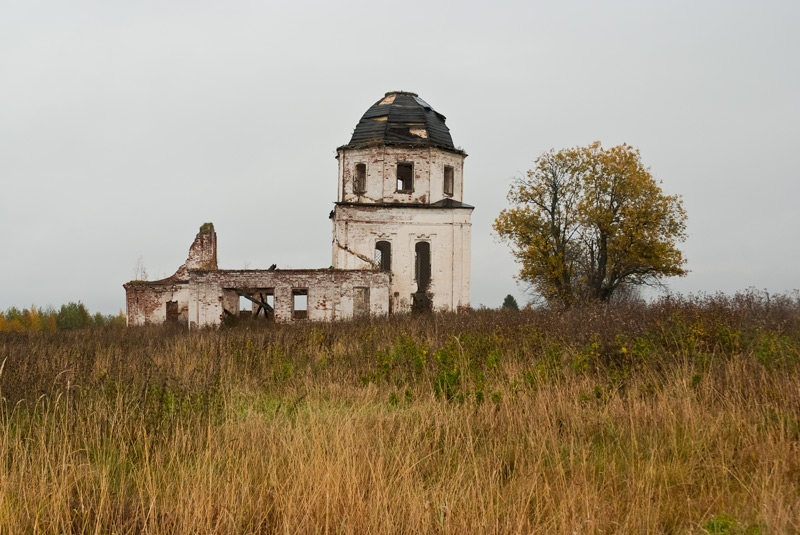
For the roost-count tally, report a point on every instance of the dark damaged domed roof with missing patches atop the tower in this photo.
(402, 118)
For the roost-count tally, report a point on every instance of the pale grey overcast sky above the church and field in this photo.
(126, 125)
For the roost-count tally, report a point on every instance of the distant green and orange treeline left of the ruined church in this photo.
(69, 317)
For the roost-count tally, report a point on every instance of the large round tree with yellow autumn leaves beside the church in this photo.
(586, 222)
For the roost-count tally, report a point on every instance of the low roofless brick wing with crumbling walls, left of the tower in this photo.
(199, 294)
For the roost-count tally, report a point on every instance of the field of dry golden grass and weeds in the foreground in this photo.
(677, 417)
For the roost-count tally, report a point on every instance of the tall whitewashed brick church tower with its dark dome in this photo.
(399, 205)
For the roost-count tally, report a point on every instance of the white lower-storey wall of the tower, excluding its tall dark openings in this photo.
(357, 228)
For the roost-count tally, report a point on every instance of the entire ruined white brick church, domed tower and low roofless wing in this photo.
(401, 238)
